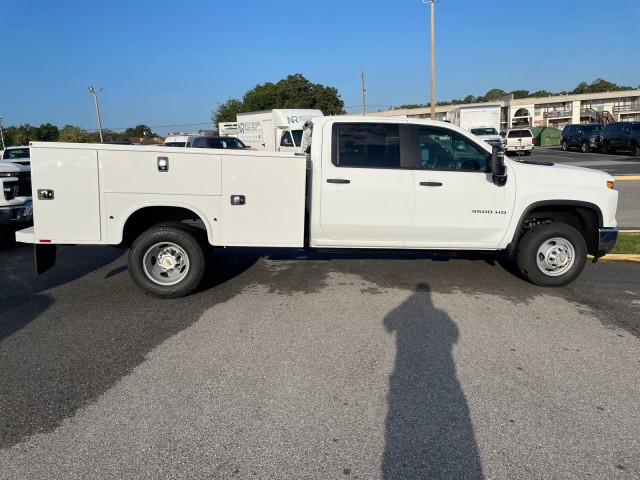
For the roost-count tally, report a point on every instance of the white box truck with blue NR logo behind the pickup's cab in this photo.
(274, 130)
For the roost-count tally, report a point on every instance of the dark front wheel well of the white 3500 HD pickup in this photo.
(584, 219)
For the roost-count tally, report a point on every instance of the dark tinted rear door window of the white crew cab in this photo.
(367, 145)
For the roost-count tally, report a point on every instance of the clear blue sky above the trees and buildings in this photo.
(168, 64)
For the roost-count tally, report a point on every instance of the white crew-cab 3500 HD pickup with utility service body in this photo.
(376, 183)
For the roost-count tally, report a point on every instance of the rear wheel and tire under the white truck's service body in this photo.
(167, 261)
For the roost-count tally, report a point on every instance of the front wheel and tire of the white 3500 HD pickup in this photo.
(551, 255)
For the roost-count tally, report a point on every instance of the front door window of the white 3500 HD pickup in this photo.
(445, 150)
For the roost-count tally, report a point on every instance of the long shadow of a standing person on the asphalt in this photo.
(429, 434)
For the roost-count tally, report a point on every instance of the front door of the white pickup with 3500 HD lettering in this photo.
(456, 201)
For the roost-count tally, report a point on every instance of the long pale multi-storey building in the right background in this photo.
(553, 111)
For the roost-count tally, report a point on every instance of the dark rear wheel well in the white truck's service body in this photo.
(145, 218)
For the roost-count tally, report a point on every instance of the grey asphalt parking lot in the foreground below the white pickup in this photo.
(292, 365)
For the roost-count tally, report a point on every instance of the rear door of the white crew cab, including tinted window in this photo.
(367, 188)
